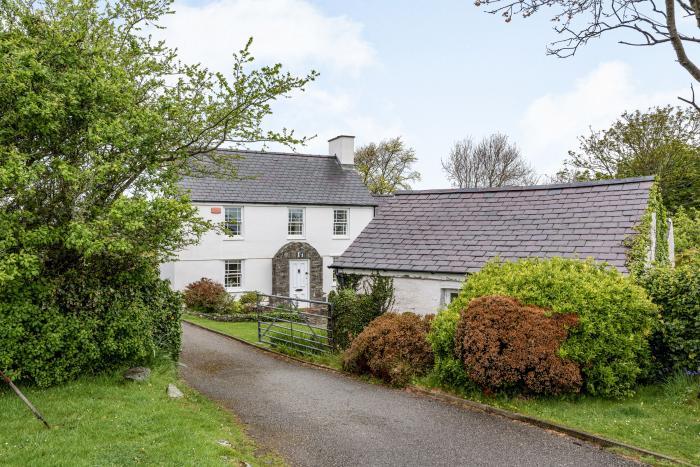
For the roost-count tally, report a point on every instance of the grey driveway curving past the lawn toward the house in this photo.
(314, 417)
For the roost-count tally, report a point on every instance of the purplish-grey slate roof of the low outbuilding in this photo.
(457, 231)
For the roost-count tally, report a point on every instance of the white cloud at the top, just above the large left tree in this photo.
(292, 32)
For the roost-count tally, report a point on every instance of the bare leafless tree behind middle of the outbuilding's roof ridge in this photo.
(494, 162)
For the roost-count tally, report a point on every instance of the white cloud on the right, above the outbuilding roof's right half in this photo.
(553, 122)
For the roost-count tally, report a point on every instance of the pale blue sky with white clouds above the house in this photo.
(431, 72)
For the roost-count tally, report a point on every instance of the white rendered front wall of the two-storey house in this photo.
(264, 233)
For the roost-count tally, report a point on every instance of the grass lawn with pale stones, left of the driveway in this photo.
(106, 420)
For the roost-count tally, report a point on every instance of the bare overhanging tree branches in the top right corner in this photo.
(635, 22)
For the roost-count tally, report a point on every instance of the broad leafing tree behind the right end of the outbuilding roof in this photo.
(664, 141)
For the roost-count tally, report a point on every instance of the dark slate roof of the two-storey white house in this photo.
(283, 178)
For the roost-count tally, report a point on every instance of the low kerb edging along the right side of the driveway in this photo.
(467, 404)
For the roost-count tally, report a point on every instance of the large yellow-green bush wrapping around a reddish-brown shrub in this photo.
(616, 318)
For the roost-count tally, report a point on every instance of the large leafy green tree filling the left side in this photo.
(98, 122)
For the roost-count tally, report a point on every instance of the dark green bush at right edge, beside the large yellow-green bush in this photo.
(676, 343)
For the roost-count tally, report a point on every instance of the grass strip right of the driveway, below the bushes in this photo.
(664, 418)
